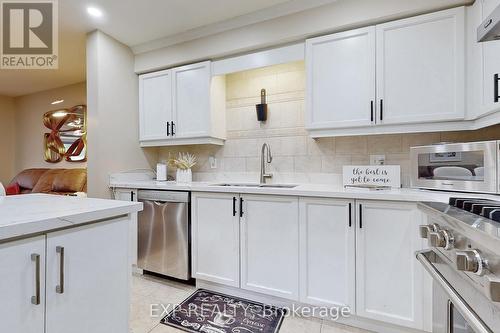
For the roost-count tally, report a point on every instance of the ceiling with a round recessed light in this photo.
(135, 23)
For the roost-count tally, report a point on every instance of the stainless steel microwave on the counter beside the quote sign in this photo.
(465, 167)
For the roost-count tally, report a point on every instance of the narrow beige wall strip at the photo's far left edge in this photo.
(7, 139)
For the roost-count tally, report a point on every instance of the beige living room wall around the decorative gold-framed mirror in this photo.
(30, 129)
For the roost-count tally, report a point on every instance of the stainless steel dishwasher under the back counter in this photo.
(164, 233)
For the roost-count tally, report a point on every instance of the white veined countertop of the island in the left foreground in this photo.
(25, 215)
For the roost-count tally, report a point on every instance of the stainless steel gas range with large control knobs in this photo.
(464, 262)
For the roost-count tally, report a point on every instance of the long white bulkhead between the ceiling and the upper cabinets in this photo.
(338, 16)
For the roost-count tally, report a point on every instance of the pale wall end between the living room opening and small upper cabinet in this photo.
(112, 97)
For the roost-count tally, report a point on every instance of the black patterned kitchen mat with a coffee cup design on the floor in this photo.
(209, 312)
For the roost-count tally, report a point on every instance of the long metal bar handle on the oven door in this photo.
(474, 321)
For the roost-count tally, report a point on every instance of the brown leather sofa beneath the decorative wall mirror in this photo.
(52, 181)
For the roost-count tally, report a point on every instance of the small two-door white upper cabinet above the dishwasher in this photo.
(183, 105)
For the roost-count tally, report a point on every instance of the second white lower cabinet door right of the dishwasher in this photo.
(270, 245)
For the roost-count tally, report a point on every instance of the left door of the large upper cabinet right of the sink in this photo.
(341, 79)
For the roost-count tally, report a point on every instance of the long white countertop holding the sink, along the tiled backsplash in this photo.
(306, 190)
